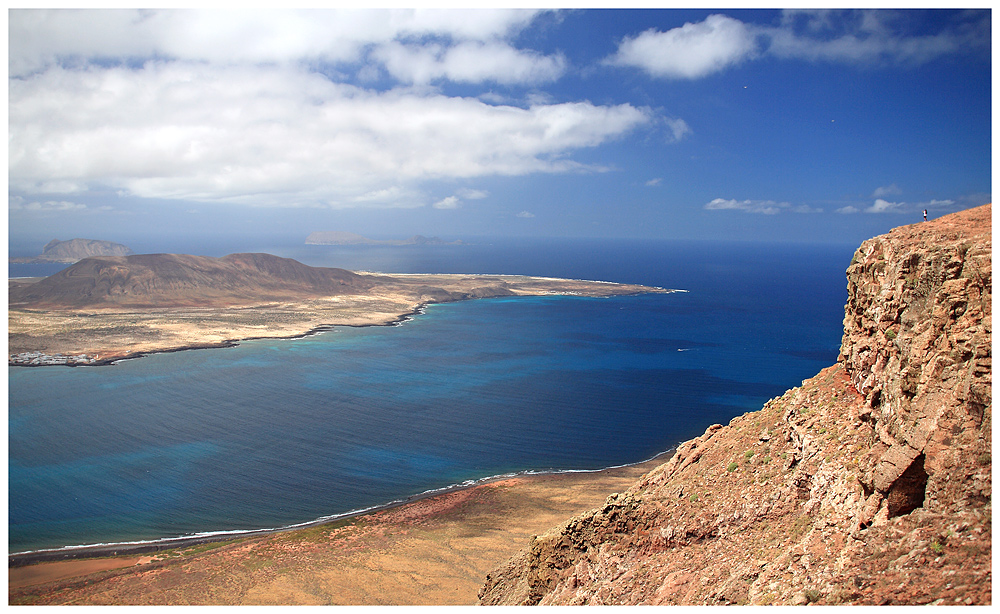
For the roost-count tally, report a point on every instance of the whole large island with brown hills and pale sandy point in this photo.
(104, 309)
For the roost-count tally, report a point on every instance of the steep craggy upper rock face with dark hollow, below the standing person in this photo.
(917, 334)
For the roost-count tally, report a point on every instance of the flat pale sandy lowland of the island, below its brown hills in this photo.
(127, 333)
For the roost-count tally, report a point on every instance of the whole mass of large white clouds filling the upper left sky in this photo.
(254, 107)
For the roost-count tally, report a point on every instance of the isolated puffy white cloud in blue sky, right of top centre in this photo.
(691, 51)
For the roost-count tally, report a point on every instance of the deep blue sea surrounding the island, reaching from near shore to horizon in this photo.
(274, 433)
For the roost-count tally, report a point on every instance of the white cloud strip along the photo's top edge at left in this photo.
(41, 37)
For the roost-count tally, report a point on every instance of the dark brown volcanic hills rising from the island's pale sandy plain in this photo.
(170, 280)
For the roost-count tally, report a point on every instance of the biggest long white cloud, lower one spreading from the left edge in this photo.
(271, 135)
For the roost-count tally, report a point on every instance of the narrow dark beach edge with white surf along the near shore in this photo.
(116, 549)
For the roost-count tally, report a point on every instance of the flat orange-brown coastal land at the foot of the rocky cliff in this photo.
(434, 548)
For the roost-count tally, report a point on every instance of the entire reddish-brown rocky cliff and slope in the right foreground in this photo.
(868, 484)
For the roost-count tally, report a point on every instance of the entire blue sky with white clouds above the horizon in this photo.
(752, 125)
